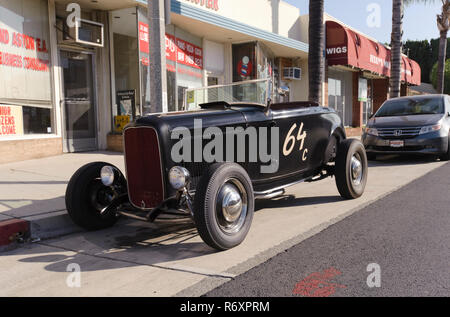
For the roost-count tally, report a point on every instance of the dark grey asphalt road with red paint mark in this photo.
(405, 235)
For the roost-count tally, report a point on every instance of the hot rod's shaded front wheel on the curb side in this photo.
(87, 197)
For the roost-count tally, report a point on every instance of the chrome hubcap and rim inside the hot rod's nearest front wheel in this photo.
(231, 208)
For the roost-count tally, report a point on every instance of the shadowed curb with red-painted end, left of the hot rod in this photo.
(15, 232)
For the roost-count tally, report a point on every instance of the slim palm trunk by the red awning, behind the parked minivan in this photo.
(396, 48)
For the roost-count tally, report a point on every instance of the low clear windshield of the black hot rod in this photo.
(248, 92)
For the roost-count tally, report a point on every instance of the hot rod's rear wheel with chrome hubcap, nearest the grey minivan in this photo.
(351, 169)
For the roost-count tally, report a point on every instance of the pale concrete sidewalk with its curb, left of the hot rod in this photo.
(32, 195)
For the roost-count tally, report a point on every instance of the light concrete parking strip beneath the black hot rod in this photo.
(168, 258)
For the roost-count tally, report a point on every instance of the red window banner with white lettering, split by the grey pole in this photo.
(177, 50)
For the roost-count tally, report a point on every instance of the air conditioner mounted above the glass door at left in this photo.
(84, 32)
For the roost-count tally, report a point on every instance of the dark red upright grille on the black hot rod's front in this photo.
(144, 170)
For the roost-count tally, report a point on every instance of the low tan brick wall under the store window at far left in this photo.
(21, 150)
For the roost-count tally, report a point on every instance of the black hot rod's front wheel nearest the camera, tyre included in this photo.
(224, 206)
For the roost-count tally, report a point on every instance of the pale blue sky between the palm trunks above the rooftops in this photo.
(419, 22)
